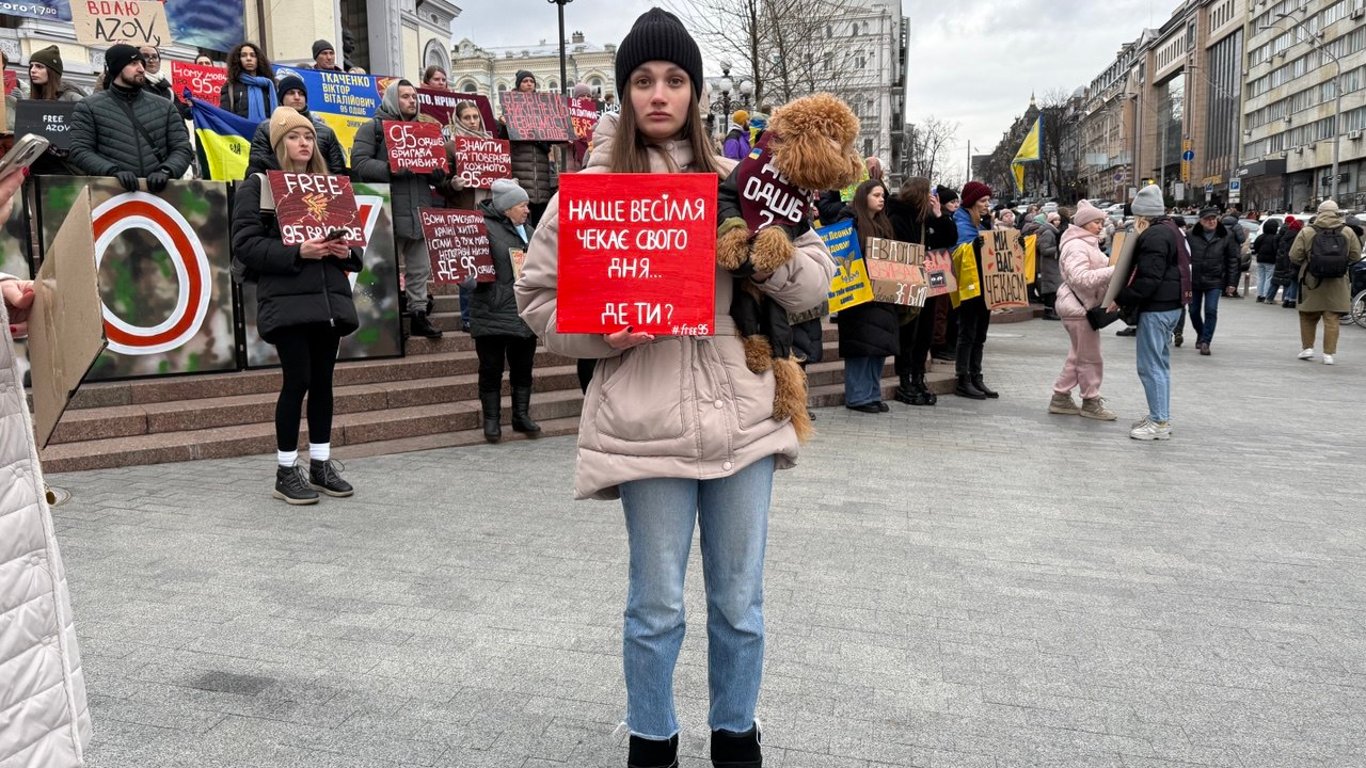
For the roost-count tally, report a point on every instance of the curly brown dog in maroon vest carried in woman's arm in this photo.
(764, 206)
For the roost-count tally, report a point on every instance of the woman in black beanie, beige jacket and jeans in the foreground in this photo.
(678, 427)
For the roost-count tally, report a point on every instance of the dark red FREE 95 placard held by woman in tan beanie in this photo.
(315, 206)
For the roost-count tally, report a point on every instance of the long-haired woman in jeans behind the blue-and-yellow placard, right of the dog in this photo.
(869, 333)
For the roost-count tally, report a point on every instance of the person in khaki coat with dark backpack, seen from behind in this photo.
(1324, 253)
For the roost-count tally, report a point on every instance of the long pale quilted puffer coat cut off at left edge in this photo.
(44, 721)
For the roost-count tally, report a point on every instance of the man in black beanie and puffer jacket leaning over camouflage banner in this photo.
(125, 132)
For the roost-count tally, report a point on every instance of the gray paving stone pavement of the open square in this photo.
(976, 586)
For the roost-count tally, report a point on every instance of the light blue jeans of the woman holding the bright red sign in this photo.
(733, 513)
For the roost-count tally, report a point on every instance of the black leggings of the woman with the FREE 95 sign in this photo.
(308, 356)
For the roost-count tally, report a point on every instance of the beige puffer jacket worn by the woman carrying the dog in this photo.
(680, 407)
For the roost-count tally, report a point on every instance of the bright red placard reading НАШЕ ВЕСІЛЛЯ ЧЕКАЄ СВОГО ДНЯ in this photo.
(637, 251)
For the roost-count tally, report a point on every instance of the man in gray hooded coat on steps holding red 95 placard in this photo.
(409, 192)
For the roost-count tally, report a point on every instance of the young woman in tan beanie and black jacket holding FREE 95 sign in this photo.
(304, 308)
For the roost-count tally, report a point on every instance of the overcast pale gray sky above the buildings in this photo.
(971, 65)
